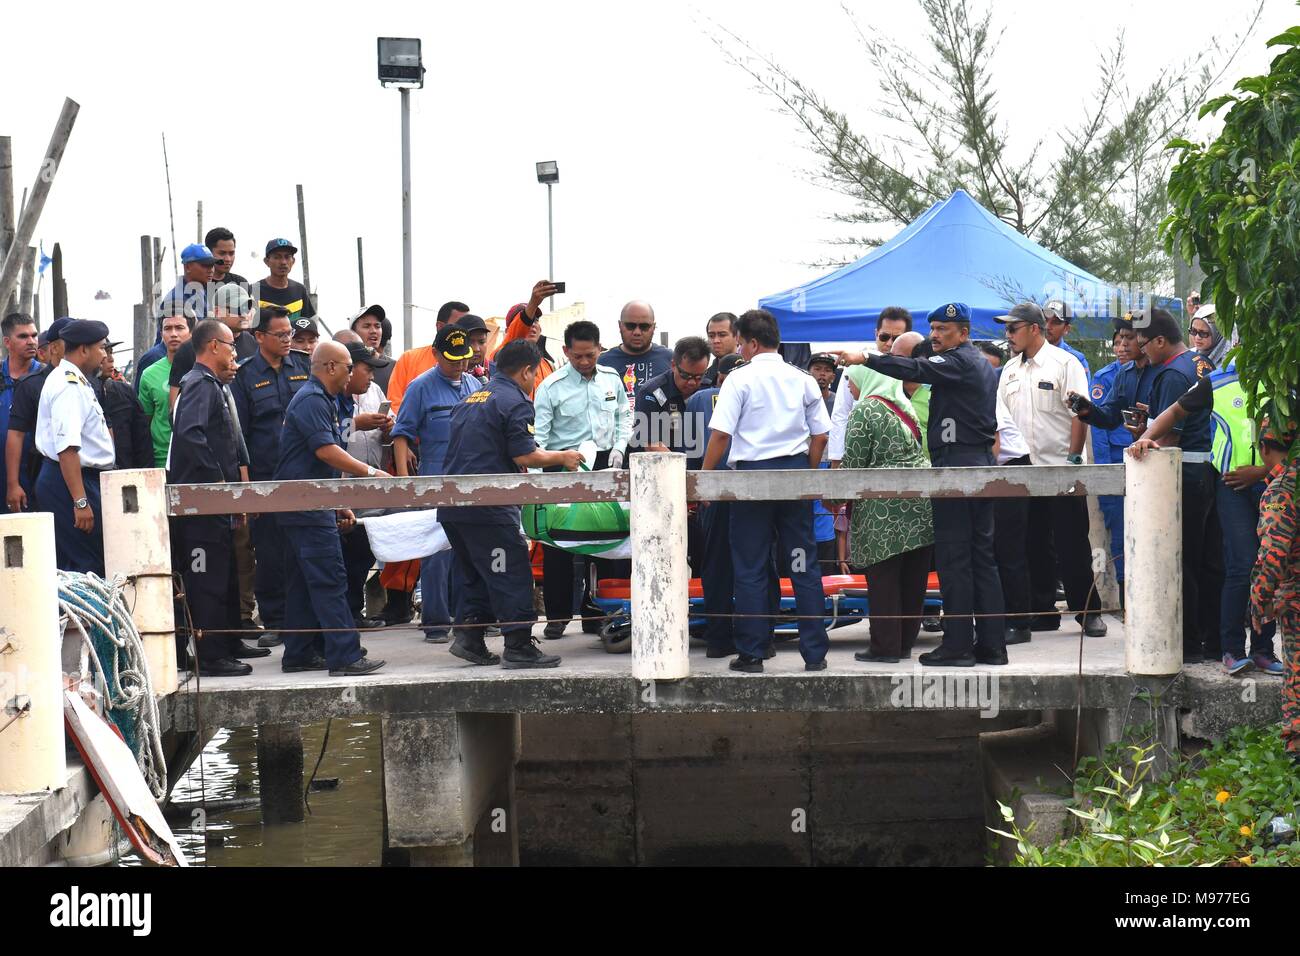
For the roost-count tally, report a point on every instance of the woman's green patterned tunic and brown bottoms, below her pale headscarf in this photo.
(891, 538)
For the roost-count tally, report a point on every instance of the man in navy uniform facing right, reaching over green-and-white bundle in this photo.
(492, 434)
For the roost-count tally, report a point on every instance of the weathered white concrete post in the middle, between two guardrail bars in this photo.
(661, 638)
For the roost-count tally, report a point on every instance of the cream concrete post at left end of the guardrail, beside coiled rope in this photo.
(138, 544)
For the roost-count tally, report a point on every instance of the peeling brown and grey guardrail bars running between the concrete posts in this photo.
(261, 498)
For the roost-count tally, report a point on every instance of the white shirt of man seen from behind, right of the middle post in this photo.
(770, 409)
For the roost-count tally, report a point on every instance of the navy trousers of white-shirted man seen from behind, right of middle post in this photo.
(755, 527)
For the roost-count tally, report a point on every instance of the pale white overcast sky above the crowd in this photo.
(681, 183)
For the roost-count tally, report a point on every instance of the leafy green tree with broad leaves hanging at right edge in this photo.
(1236, 206)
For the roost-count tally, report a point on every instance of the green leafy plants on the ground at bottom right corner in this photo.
(1212, 810)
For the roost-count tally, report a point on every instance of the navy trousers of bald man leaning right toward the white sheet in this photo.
(317, 598)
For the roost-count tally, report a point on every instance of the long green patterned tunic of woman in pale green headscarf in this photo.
(882, 529)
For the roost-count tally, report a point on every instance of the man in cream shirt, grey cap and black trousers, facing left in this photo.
(1034, 388)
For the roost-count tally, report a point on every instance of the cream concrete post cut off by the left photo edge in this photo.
(32, 681)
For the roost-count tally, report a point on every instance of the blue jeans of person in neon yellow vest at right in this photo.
(1240, 517)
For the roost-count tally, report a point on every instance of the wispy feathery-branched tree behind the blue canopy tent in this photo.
(1091, 191)
